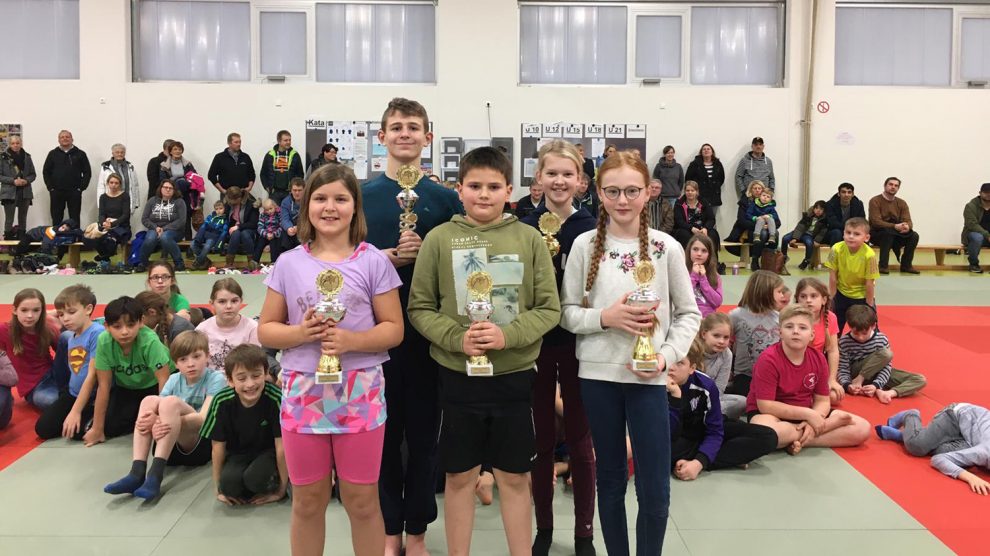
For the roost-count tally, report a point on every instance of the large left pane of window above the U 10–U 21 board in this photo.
(572, 44)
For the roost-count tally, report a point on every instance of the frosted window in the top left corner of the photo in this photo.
(40, 39)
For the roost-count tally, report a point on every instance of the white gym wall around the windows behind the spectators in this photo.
(920, 135)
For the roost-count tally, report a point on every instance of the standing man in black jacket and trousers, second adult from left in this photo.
(67, 174)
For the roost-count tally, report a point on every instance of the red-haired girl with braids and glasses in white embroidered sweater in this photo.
(597, 282)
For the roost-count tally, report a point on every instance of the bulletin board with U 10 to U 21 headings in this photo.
(594, 137)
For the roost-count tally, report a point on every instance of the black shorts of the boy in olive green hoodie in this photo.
(469, 439)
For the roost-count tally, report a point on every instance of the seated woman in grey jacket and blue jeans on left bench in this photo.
(164, 217)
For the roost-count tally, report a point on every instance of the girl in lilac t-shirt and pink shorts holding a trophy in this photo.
(333, 425)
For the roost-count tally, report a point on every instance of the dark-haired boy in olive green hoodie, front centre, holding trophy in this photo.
(485, 419)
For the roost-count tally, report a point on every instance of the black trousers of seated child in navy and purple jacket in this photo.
(742, 443)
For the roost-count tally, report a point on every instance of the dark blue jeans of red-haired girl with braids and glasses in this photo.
(611, 408)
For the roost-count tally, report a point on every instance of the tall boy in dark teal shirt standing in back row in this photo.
(408, 498)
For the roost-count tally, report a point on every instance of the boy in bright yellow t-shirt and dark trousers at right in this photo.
(853, 270)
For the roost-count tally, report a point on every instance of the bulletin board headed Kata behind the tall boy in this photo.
(357, 145)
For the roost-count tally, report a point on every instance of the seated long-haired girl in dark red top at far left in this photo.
(28, 340)
